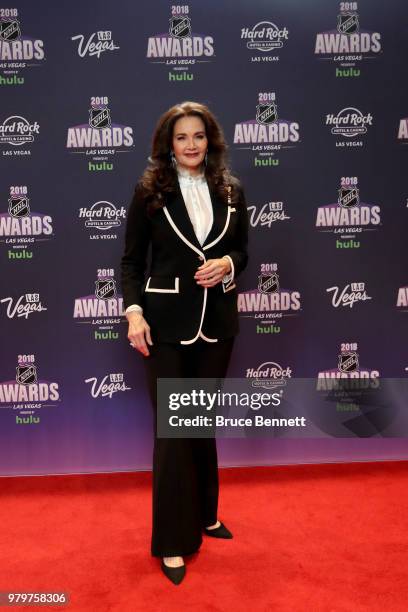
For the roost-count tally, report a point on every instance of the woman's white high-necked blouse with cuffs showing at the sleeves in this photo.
(198, 203)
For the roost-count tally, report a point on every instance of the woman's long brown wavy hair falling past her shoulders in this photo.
(160, 177)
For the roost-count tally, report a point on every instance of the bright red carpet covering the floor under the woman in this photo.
(306, 538)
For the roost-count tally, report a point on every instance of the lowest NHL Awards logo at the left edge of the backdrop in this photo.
(28, 392)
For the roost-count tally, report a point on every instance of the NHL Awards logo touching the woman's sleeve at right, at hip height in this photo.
(269, 303)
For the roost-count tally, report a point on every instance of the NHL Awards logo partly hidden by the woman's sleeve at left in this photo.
(103, 309)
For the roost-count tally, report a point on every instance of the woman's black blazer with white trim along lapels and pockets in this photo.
(174, 306)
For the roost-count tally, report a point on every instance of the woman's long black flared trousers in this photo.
(185, 471)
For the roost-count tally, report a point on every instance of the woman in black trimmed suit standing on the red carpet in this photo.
(183, 318)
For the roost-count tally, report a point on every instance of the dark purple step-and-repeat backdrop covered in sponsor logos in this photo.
(312, 97)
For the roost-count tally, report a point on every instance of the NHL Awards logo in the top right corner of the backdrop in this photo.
(347, 45)
